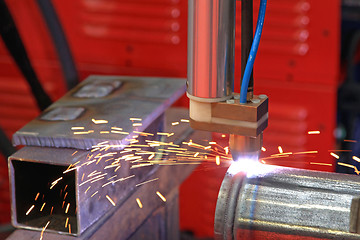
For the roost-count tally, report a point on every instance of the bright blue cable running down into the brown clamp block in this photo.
(253, 51)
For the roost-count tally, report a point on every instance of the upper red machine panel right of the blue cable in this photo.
(298, 44)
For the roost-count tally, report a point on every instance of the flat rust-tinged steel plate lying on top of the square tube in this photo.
(138, 97)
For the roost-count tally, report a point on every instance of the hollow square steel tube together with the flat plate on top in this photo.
(66, 181)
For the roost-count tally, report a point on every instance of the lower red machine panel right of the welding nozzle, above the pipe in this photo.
(310, 107)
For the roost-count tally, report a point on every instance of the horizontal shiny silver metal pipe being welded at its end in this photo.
(269, 202)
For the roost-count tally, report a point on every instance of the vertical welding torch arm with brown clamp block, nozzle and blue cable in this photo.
(213, 105)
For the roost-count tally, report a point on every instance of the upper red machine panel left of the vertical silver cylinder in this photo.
(129, 37)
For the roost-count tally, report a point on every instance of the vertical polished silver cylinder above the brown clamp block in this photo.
(211, 49)
